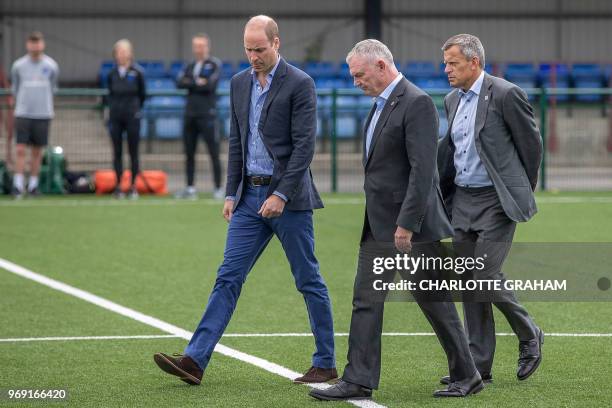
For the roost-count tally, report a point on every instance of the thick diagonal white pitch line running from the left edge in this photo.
(164, 326)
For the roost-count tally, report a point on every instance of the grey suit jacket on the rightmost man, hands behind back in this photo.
(507, 141)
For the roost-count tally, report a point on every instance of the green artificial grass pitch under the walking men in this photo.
(160, 258)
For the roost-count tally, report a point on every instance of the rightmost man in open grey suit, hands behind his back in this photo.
(488, 163)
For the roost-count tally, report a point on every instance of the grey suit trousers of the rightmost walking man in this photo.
(482, 227)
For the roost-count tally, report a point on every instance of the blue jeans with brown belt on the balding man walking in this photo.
(247, 237)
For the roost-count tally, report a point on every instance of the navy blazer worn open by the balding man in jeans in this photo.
(288, 126)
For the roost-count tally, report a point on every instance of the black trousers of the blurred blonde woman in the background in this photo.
(129, 124)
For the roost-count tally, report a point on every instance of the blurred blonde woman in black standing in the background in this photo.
(126, 95)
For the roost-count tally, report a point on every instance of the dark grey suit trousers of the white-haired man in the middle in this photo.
(364, 354)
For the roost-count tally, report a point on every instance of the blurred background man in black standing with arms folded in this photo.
(200, 78)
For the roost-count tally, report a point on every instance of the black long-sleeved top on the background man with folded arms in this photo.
(202, 99)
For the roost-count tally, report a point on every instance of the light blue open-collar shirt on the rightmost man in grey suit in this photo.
(471, 172)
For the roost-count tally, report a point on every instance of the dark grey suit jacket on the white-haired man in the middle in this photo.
(401, 177)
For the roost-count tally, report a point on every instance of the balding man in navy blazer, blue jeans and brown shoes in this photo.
(269, 192)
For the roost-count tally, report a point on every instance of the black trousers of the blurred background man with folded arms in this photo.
(195, 126)
